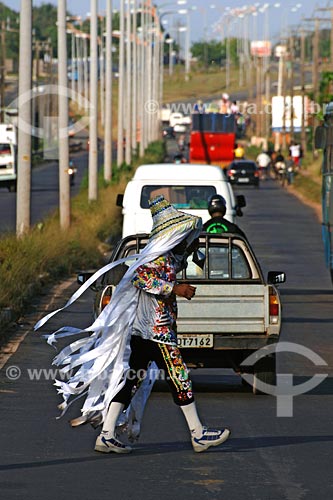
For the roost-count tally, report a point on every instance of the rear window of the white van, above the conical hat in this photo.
(186, 197)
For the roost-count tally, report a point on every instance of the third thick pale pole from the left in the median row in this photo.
(93, 124)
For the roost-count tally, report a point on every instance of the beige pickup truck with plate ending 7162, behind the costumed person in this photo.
(236, 311)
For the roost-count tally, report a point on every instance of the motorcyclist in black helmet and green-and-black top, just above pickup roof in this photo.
(217, 223)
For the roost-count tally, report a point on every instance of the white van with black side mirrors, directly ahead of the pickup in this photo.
(186, 186)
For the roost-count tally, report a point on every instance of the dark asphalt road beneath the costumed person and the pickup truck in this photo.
(267, 457)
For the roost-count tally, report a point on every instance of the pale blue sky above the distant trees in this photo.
(279, 15)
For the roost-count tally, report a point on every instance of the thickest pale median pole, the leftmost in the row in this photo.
(24, 122)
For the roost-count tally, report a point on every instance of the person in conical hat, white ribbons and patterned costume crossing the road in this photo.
(137, 327)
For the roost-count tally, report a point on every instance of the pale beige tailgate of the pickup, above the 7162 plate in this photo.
(229, 309)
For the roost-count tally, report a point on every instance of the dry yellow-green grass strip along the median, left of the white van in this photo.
(47, 255)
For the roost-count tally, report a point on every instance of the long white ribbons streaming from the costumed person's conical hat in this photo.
(100, 361)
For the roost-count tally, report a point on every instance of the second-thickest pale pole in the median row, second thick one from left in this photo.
(64, 185)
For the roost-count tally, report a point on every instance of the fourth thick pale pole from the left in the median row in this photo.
(108, 95)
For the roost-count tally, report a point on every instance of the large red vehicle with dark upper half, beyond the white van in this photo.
(213, 138)
